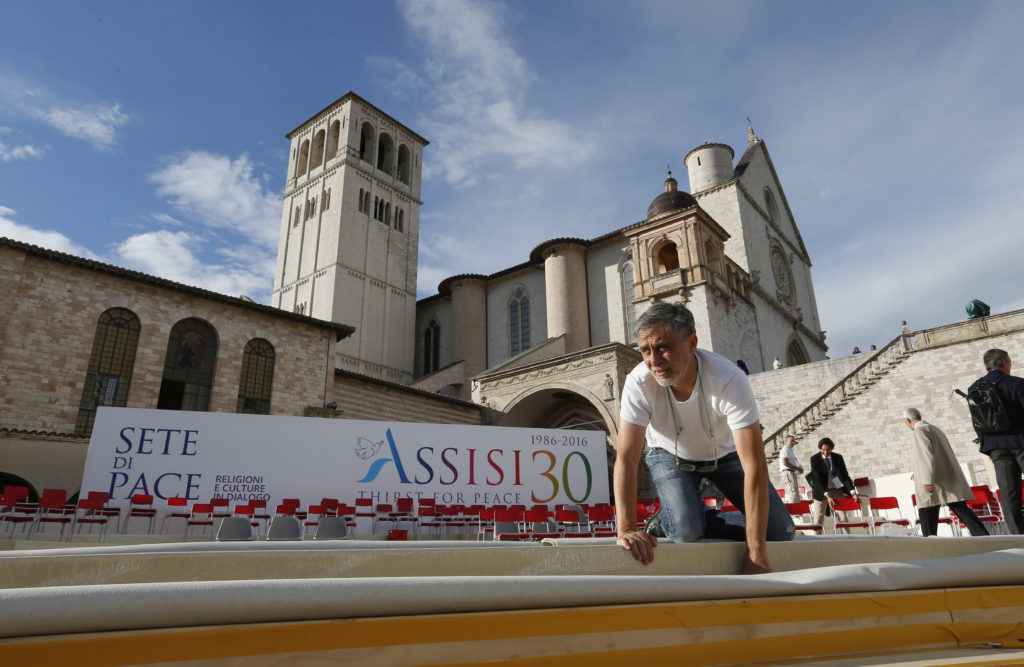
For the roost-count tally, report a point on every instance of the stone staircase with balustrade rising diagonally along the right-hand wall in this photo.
(876, 366)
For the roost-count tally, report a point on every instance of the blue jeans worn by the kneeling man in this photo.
(687, 519)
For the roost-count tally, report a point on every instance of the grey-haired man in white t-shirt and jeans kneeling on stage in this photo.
(697, 412)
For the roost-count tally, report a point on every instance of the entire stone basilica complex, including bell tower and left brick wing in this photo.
(544, 344)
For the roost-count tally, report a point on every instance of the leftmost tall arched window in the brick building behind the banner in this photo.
(111, 365)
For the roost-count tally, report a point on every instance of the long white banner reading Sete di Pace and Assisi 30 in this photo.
(202, 455)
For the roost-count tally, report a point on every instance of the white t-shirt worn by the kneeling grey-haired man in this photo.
(722, 393)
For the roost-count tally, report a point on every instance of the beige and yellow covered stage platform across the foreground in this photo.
(834, 601)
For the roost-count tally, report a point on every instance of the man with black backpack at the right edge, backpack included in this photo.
(997, 403)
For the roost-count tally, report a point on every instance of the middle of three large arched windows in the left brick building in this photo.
(189, 365)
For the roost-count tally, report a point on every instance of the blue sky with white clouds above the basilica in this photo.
(151, 136)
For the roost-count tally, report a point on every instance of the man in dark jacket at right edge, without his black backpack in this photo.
(1007, 448)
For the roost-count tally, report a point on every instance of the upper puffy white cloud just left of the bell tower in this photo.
(222, 193)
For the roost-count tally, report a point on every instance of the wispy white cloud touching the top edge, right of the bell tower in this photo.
(479, 119)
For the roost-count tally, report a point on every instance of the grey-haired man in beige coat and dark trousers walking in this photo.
(938, 479)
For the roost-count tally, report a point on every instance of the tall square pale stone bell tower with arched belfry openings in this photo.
(350, 233)
